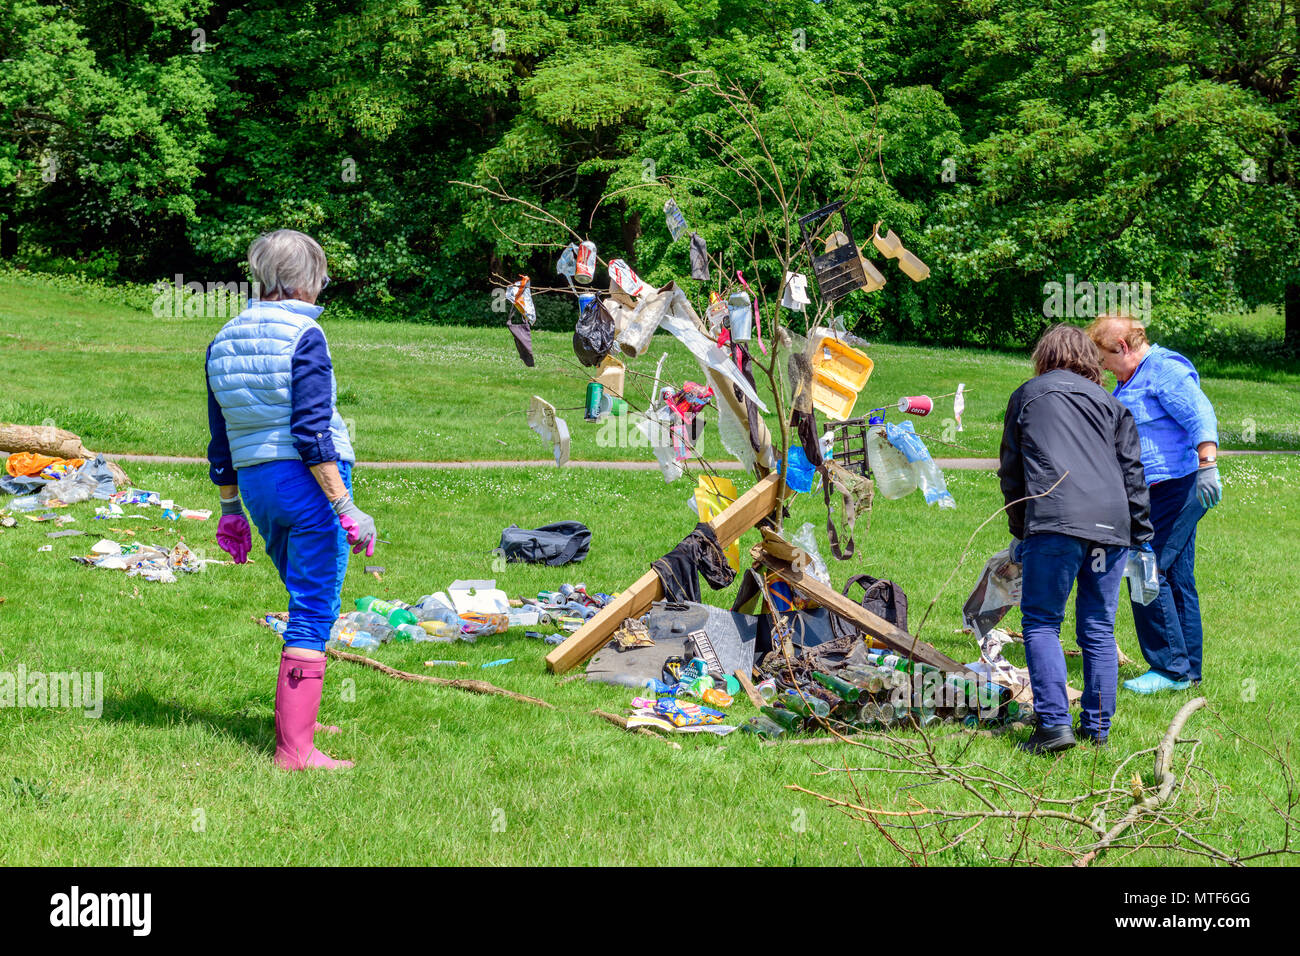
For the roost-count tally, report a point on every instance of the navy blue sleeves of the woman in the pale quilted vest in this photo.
(310, 421)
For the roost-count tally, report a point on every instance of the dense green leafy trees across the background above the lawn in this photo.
(1020, 144)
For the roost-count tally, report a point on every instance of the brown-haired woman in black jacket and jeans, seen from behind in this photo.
(1064, 432)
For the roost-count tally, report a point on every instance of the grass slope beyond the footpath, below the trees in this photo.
(128, 382)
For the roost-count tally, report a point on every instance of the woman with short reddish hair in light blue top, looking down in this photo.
(1180, 449)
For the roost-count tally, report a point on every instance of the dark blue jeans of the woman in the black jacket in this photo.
(1052, 564)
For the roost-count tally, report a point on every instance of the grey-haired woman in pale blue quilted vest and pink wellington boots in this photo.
(279, 442)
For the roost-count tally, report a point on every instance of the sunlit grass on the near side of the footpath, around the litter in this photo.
(179, 768)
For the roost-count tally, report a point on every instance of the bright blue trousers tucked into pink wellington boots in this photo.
(305, 542)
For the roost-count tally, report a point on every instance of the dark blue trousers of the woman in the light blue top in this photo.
(1169, 629)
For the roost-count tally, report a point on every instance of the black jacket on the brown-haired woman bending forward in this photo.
(1061, 423)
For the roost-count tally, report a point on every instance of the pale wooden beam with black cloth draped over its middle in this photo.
(729, 526)
